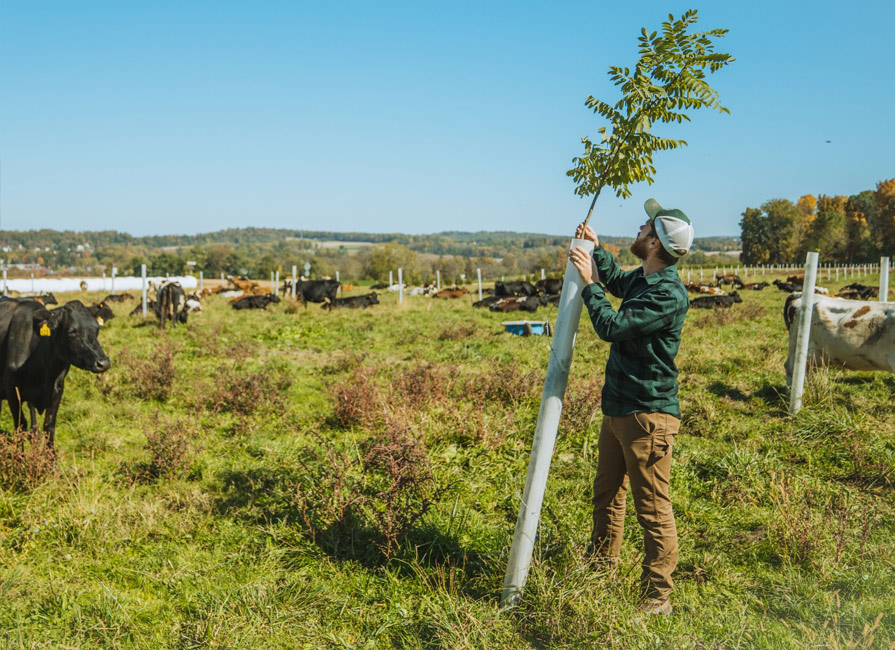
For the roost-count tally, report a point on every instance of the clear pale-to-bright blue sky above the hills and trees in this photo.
(186, 116)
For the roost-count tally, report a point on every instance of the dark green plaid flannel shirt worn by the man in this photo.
(645, 334)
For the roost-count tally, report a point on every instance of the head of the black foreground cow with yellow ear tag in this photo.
(74, 330)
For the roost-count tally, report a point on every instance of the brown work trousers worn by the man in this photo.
(635, 450)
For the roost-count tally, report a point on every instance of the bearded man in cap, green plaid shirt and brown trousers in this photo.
(641, 414)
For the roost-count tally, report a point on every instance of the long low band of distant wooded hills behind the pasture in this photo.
(257, 252)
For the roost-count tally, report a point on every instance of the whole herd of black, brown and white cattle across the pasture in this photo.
(38, 345)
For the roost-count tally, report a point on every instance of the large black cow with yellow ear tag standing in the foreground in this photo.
(38, 348)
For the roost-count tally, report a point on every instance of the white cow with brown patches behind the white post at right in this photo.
(855, 335)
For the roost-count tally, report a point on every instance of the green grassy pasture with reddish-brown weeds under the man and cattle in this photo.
(298, 478)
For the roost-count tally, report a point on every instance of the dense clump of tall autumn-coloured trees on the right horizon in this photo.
(842, 229)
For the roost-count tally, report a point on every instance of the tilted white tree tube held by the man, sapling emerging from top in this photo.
(567, 317)
